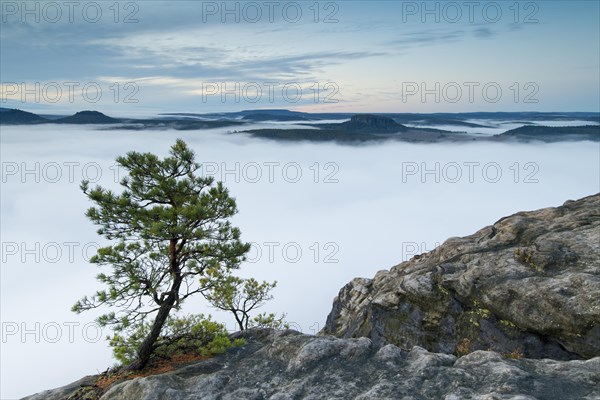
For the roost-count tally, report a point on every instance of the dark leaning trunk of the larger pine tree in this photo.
(147, 347)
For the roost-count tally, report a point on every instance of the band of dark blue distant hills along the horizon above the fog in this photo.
(355, 128)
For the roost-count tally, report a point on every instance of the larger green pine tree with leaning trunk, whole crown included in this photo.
(169, 228)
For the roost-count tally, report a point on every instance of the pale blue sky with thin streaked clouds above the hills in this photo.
(142, 58)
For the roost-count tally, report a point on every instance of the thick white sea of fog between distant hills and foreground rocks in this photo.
(318, 215)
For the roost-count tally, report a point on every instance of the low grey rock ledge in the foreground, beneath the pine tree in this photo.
(288, 365)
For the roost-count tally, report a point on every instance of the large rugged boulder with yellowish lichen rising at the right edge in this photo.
(528, 285)
